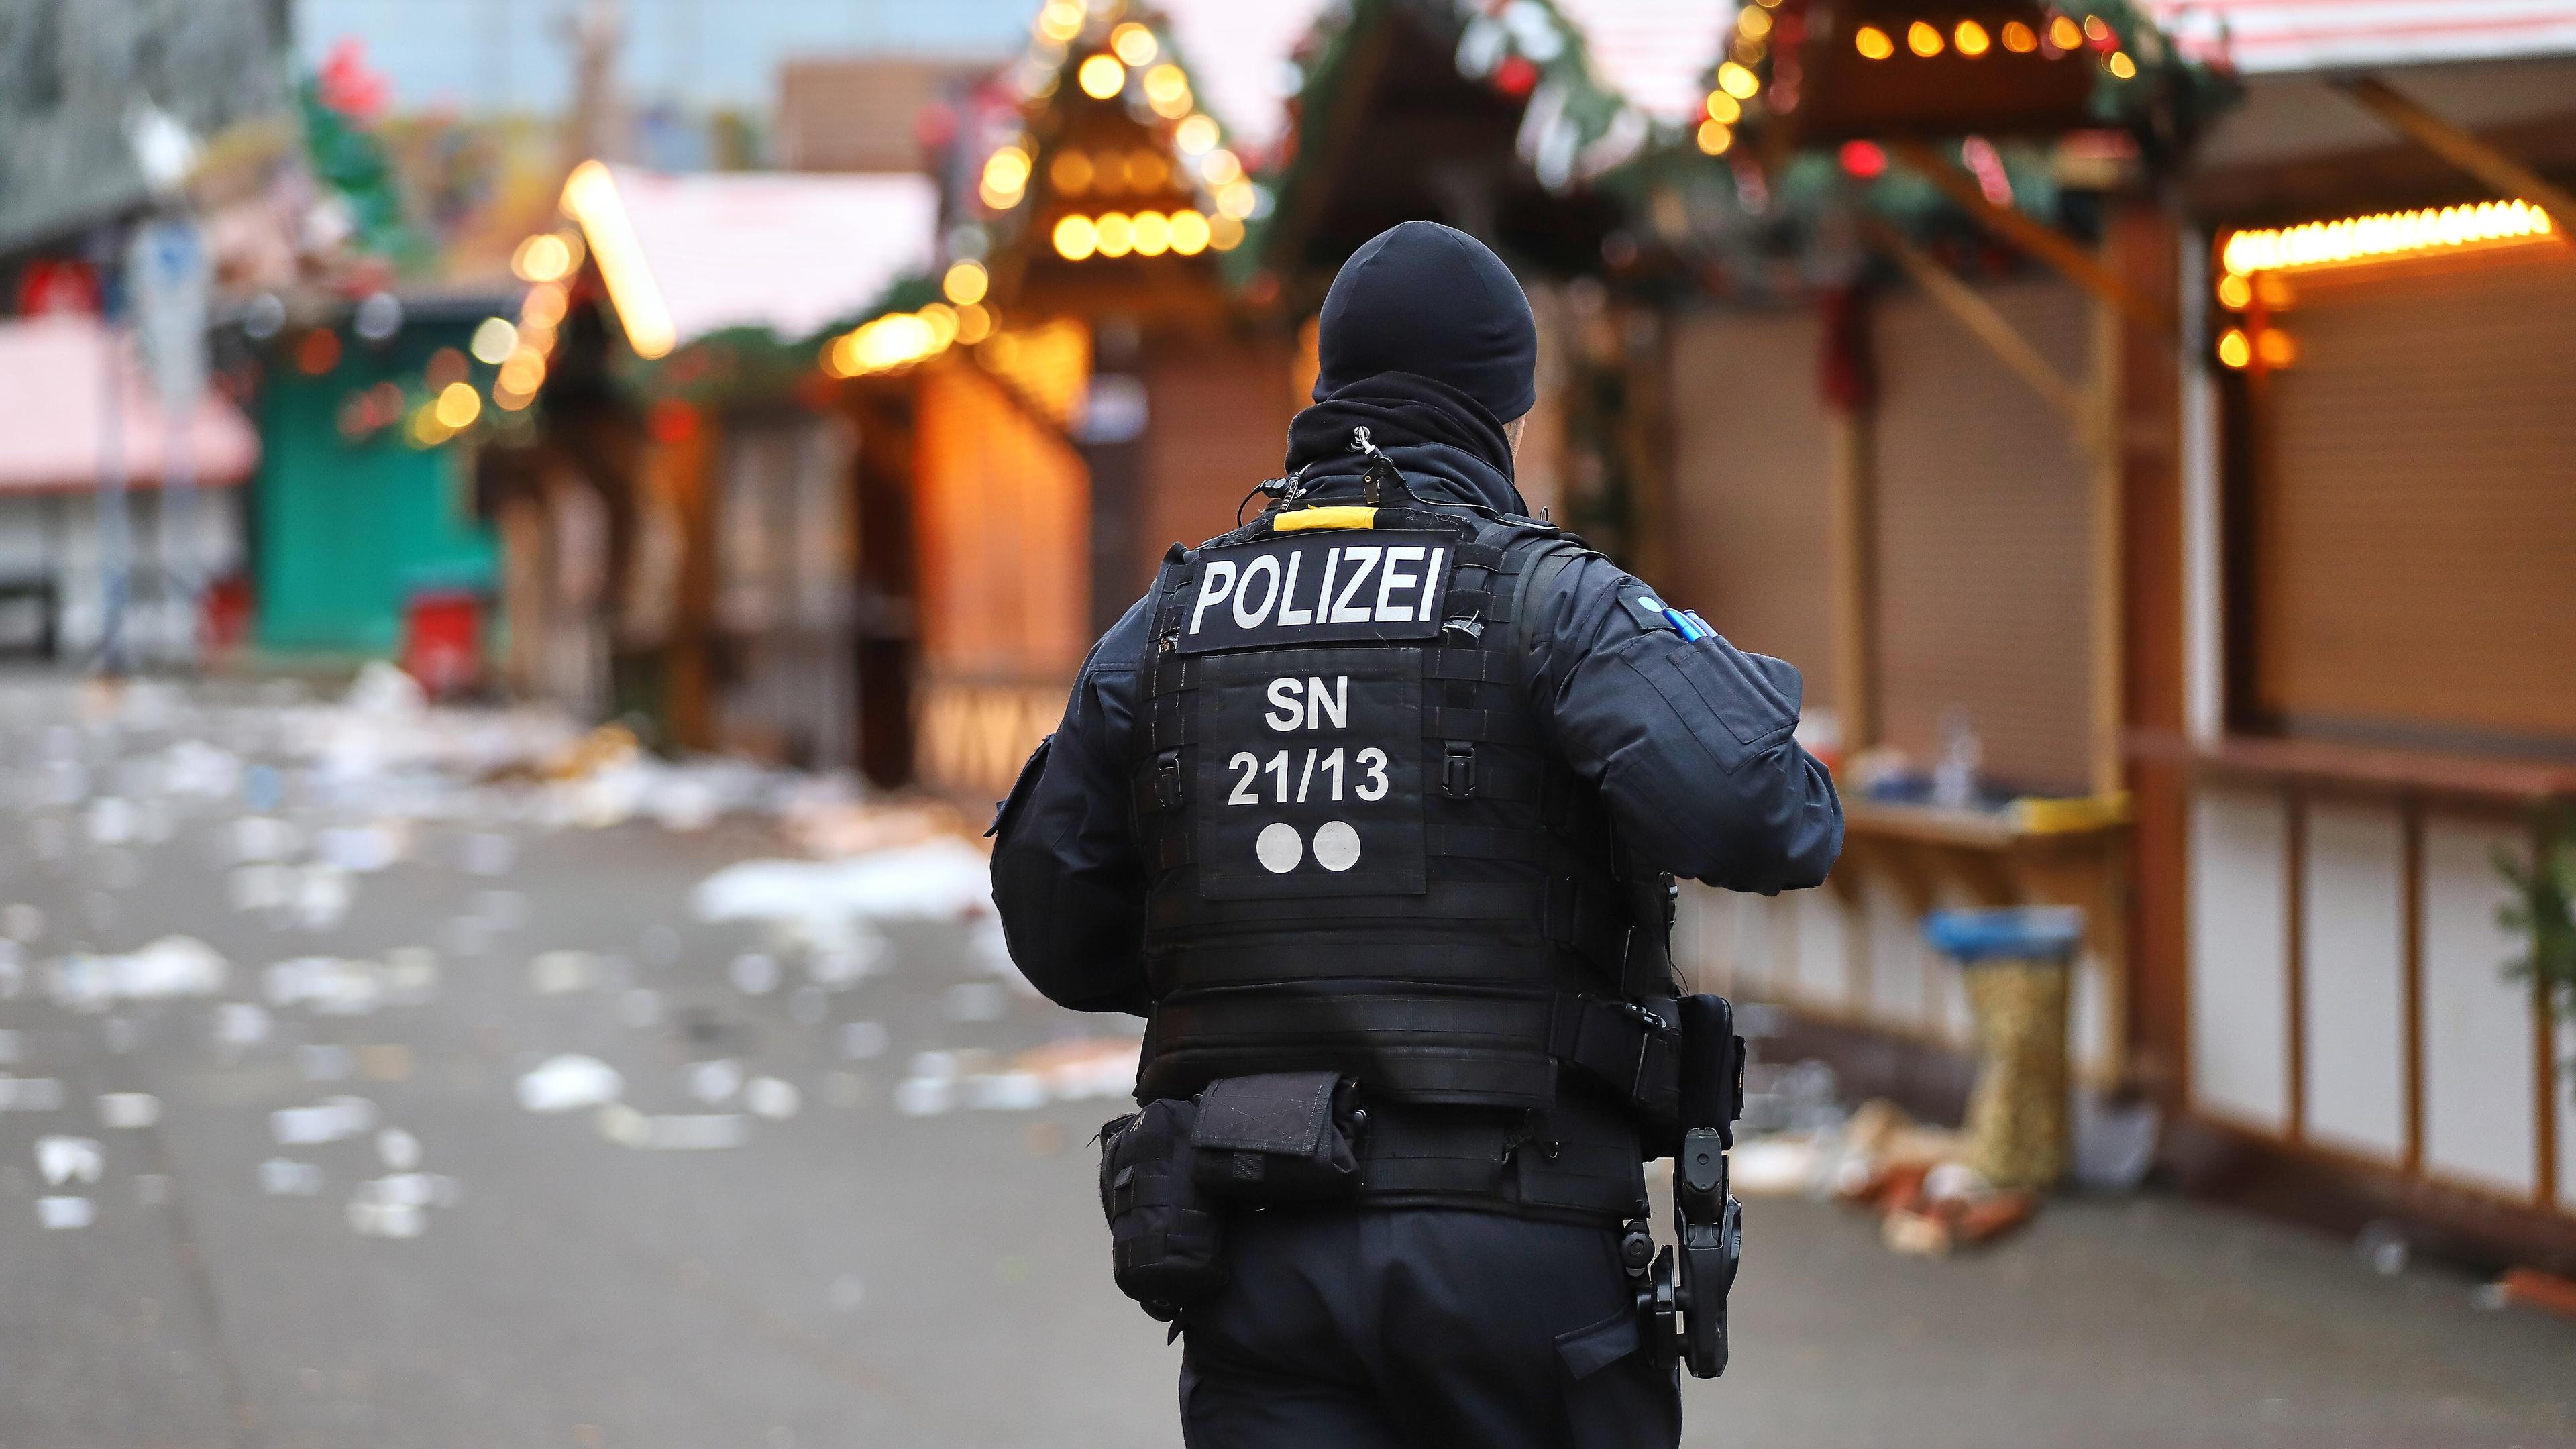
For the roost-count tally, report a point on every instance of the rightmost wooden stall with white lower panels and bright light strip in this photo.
(2366, 721)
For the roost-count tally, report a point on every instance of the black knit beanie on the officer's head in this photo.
(1436, 303)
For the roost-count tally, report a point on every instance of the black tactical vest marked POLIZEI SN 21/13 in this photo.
(1361, 852)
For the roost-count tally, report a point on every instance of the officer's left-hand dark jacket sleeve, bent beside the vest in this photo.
(1065, 868)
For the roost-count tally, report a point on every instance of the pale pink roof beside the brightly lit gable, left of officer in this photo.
(777, 251)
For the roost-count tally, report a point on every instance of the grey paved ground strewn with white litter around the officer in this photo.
(867, 1275)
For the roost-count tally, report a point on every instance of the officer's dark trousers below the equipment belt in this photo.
(1382, 1329)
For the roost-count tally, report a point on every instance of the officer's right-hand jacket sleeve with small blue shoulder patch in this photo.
(1689, 741)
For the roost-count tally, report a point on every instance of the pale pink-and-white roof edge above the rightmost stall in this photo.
(2271, 37)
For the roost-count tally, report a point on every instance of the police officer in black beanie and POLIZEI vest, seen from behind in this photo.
(1372, 808)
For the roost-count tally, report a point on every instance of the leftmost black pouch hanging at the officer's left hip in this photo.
(1166, 1247)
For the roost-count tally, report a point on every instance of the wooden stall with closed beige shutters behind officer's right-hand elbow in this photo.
(1928, 514)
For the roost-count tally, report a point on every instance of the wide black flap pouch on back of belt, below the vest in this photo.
(1279, 1138)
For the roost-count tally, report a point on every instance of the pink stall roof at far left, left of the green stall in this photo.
(55, 398)
